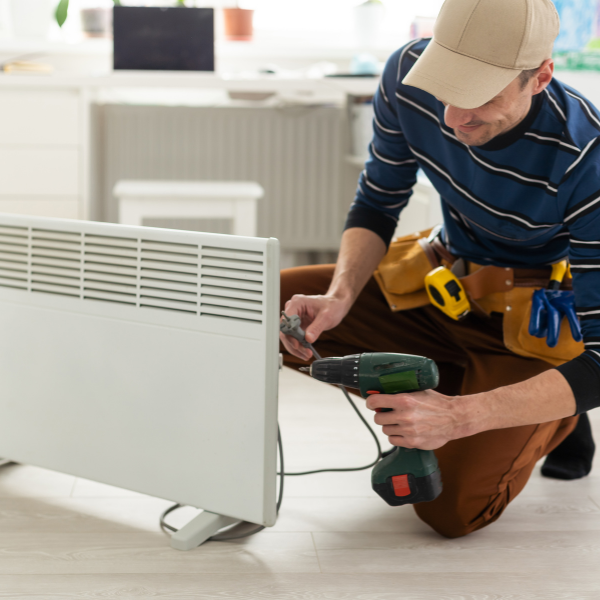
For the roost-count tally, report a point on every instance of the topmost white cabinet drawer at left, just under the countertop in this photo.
(39, 117)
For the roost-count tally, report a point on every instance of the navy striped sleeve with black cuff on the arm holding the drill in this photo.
(582, 219)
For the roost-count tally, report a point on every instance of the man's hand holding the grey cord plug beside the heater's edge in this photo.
(317, 314)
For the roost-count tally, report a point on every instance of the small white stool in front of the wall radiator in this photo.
(190, 199)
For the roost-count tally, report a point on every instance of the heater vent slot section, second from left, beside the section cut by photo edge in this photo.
(56, 262)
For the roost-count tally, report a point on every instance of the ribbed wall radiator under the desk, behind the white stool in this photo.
(296, 154)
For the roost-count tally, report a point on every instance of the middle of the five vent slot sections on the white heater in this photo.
(110, 269)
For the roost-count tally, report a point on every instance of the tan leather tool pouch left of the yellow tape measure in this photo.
(401, 273)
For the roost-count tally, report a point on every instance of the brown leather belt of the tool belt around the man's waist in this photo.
(482, 281)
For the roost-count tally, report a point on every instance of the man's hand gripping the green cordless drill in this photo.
(424, 420)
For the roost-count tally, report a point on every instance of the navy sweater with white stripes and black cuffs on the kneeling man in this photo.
(527, 198)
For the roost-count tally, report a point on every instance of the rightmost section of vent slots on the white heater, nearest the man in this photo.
(232, 283)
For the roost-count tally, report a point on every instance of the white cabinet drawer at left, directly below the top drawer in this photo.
(39, 171)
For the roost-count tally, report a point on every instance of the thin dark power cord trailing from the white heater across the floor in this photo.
(226, 535)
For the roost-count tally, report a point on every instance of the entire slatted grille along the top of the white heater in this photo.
(213, 281)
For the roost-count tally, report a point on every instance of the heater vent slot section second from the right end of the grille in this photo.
(169, 276)
